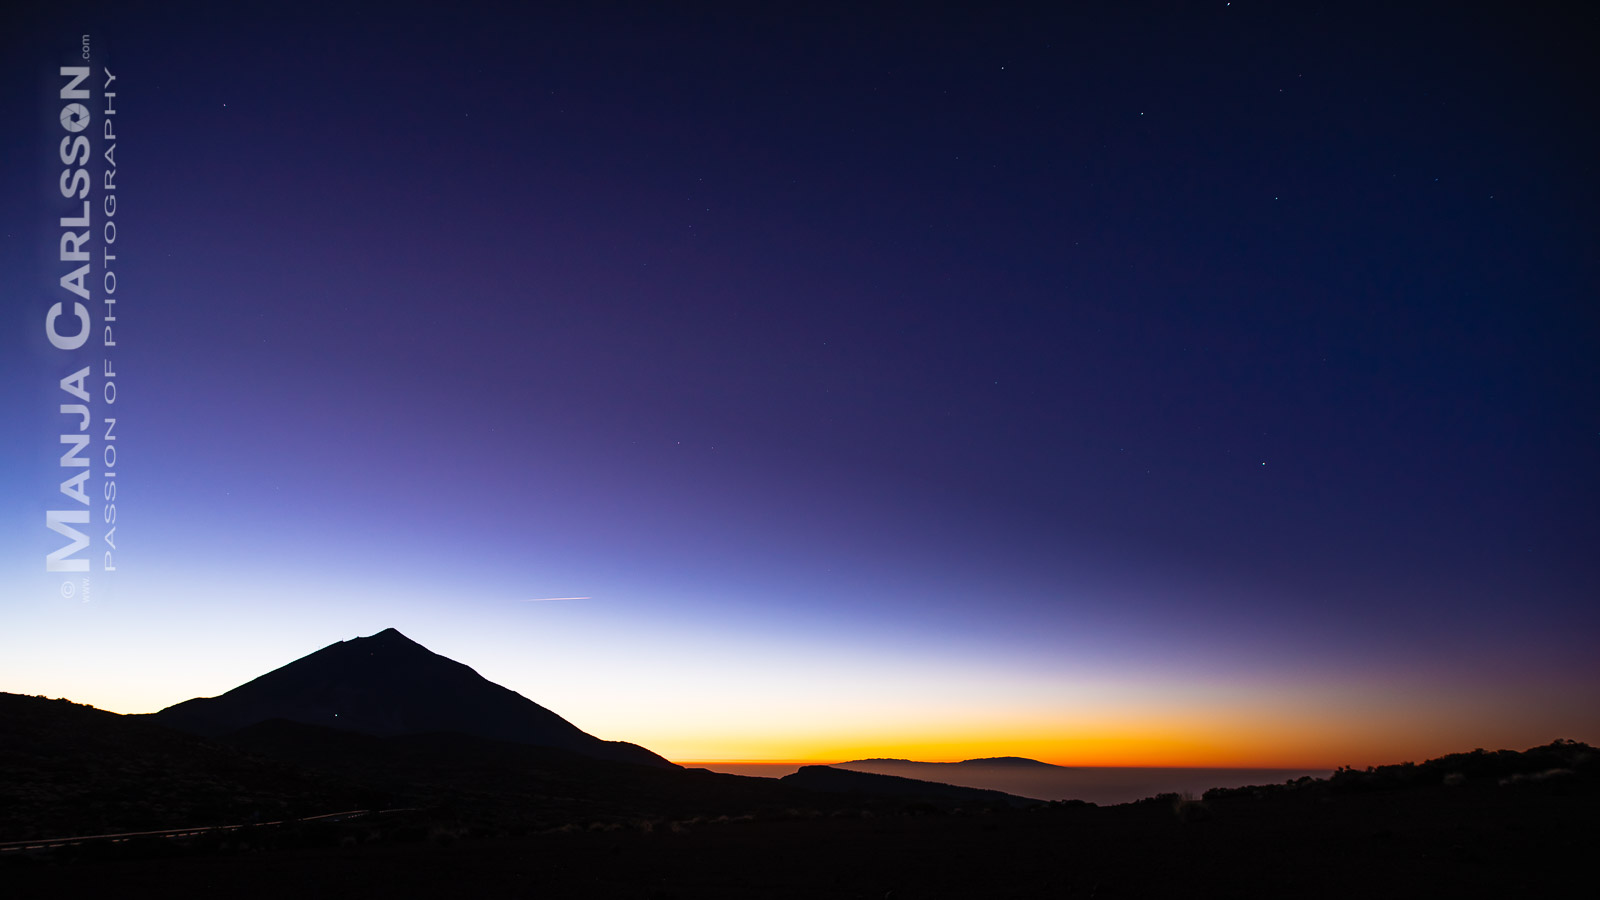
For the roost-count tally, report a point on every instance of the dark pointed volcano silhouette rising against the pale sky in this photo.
(388, 686)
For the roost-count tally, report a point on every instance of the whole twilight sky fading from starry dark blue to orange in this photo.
(1183, 384)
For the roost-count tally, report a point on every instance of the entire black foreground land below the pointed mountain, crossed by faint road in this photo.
(455, 816)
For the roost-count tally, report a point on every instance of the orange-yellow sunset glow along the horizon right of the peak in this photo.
(1161, 723)
